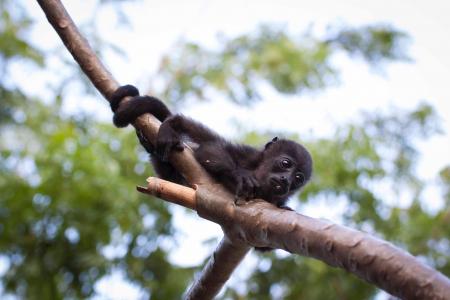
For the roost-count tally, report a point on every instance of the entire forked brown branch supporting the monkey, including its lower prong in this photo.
(259, 223)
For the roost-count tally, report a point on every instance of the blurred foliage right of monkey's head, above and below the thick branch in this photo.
(350, 169)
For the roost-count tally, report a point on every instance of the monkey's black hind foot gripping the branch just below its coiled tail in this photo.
(168, 140)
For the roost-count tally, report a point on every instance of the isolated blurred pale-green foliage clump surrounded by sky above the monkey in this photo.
(289, 64)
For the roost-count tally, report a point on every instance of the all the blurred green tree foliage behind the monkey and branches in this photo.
(69, 213)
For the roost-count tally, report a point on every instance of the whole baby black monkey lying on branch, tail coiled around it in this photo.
(273, 173)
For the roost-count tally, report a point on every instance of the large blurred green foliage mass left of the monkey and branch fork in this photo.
(68, 196)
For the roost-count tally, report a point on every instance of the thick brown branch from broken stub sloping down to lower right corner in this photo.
(258, 223)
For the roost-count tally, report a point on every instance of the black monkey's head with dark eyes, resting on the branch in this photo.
(286, 166)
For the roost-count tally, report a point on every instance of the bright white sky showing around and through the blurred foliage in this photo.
(157, 25)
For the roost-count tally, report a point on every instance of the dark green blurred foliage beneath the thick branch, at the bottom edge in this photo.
(304, 273)
